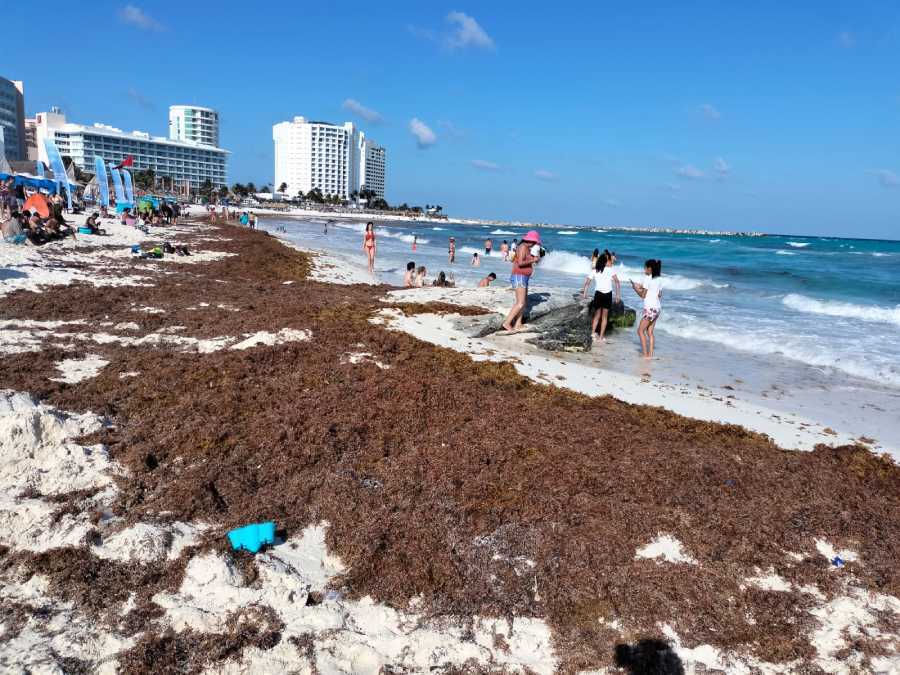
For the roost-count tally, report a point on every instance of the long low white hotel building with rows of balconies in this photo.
(187, 163)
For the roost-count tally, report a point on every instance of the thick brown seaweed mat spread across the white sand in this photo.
(461, 489)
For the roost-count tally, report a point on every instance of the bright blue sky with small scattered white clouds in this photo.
(773, 116)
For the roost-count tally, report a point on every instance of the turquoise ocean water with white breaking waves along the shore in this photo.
(826, 303)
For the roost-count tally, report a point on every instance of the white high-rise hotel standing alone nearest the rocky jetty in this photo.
(339, 160)
